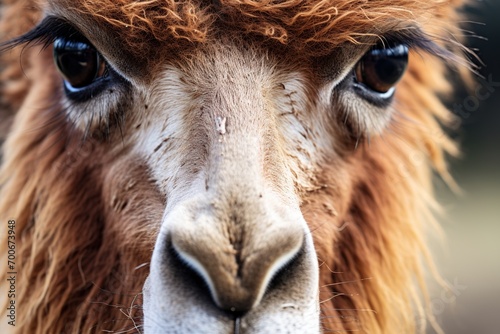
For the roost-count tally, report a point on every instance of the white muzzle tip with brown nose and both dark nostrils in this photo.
(244, 268)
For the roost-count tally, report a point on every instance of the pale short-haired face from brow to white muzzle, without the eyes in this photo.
(226, 139)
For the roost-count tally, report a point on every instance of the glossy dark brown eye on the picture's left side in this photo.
(78, 62)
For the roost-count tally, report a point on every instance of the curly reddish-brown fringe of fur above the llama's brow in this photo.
(315, 26)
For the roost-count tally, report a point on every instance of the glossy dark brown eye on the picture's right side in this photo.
(382, 67)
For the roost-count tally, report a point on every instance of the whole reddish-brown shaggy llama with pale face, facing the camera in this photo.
(230, 166)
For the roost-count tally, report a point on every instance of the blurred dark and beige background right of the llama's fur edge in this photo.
(470, 259)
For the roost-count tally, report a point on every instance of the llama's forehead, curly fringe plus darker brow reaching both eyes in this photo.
(138, 36)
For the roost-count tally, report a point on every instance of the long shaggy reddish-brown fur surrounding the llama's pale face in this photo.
(79, 257)
